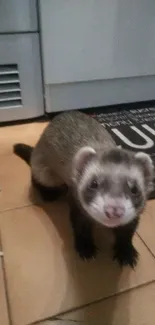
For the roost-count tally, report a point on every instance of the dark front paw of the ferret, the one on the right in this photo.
(126, 256)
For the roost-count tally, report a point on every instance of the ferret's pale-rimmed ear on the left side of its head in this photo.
(81, 159)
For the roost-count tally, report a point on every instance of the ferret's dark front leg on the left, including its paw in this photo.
(82, 230)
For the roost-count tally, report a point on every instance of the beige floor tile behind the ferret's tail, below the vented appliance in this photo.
(28, 133)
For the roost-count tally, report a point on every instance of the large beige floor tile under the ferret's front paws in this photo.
(44, 275)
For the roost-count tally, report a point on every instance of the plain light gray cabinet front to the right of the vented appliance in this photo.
(97, 53)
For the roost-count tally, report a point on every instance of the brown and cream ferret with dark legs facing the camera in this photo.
(106, 184)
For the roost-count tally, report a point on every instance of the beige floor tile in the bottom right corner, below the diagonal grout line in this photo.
(132, 308)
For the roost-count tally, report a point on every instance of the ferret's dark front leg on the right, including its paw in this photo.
(124, 251)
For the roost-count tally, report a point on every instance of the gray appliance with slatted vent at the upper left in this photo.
(21, 92)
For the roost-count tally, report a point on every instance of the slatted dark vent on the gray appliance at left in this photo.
(10, 90)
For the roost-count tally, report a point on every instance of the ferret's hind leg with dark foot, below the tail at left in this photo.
(49, 185)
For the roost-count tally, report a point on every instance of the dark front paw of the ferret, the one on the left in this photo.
(86, 250)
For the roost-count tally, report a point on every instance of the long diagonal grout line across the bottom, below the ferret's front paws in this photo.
(118, 294)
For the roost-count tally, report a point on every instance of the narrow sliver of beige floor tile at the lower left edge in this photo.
(3, 306)
